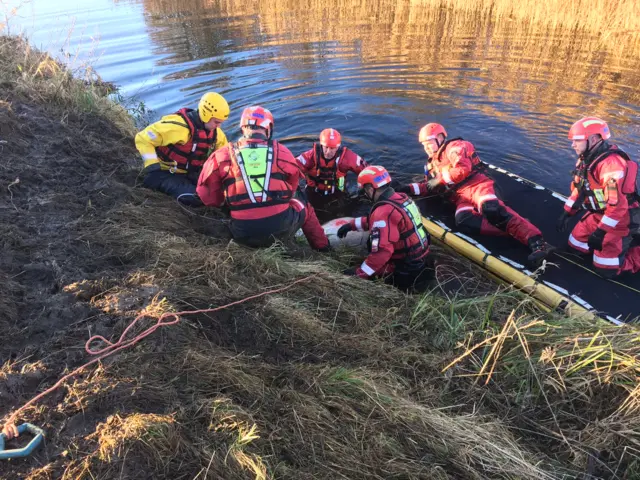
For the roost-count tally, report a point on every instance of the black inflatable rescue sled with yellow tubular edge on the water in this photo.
(568, 283)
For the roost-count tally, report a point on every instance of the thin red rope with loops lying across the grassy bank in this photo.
(123, 343)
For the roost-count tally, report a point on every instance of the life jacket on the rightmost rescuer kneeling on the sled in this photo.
(596, 195)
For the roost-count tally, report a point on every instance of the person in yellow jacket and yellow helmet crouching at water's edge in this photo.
(175, 148)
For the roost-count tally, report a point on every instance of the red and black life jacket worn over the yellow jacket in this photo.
(189, 157)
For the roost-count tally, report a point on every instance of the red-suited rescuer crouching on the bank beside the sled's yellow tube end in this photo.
(399, 242)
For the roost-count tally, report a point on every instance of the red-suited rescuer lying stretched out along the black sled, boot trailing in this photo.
(454, 168)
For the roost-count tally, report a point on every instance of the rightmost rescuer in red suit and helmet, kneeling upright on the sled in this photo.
(605, 184)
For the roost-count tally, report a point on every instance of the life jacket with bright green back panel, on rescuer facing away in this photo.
(254, 180)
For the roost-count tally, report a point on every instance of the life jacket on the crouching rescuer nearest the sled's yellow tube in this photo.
(415, 237)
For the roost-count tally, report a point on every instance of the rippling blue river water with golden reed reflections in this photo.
(376, 70)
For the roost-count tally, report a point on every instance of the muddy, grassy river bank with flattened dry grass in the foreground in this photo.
(333, 378)
